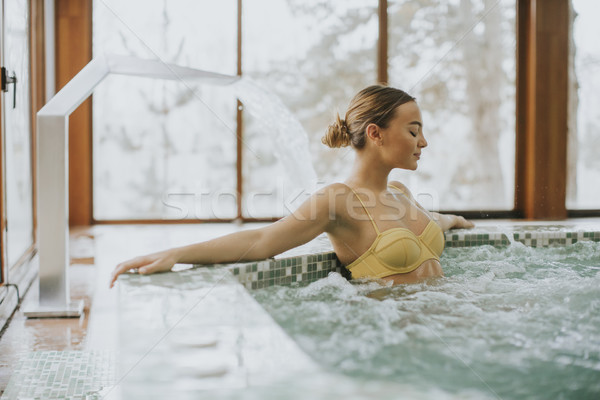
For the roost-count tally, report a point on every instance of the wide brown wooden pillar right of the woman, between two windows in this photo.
(542, 101)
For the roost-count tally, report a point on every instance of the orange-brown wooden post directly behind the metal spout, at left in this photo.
(73, 52)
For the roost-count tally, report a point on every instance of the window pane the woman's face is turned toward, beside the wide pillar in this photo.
(458, 59)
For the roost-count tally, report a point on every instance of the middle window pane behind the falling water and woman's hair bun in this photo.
(313, 55)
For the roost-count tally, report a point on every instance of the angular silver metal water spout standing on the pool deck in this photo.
(52, 169)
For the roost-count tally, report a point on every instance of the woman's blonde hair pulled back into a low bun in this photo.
(374, 104)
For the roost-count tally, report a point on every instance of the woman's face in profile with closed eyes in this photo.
(403, 140)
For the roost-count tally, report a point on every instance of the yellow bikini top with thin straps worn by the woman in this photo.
(397, 250)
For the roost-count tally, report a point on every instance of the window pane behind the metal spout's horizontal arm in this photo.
(176, 141)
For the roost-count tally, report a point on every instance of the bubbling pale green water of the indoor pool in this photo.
(510, 322)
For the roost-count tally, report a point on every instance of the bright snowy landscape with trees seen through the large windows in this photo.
(168, 149)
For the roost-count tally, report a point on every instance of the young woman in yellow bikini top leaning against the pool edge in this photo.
(376, 227)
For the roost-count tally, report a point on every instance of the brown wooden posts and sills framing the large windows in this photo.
(541, 112)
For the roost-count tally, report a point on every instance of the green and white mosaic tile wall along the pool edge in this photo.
(311, 267)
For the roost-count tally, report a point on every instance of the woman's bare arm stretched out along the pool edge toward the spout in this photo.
(307, 222)
